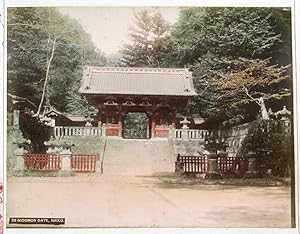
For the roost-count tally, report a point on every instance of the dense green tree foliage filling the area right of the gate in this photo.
(211, 40)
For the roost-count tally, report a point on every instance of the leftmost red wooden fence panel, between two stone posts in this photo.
(42, 162)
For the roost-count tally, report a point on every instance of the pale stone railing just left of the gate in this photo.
(71, 131)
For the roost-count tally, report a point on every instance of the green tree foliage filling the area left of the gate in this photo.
(31, 33)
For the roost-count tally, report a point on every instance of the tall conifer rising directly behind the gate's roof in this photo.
(150, 41)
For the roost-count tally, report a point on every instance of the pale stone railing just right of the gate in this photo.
(188, 134)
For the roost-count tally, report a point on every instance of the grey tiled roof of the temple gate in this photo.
(137, 81)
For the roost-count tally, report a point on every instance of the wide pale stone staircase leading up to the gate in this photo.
(137, 156)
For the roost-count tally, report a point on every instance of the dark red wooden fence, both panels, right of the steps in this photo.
(198, 164)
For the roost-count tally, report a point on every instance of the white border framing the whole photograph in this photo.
(229, 3)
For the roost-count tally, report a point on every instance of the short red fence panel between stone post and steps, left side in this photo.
(84, 163)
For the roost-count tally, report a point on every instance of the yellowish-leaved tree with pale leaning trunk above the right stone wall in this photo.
(252, 80)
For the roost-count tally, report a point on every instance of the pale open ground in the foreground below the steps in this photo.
(128, 201)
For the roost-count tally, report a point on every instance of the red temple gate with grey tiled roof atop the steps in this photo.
(117, 91)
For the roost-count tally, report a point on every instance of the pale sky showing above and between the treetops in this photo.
(108, 26)
